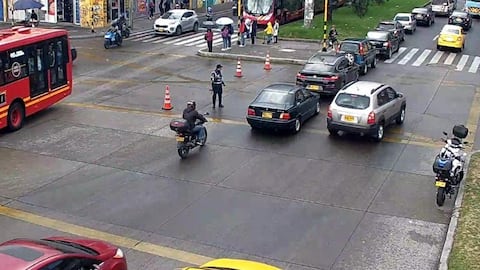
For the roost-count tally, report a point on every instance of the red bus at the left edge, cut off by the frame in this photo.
(35, 72)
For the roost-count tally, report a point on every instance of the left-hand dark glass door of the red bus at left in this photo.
(37, 70)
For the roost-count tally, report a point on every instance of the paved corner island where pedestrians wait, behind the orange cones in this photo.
(286, 52)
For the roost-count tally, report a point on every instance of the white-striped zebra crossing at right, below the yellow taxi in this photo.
(417, 57)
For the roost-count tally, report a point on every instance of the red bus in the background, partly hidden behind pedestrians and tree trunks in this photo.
(284, 10)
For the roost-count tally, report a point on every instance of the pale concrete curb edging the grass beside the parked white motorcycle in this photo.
(447, 247)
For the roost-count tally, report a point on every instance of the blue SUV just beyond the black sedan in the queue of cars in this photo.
(359, 51)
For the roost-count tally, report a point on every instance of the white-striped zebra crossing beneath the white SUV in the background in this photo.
(190, 39)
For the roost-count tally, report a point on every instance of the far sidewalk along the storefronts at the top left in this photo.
(140, 23)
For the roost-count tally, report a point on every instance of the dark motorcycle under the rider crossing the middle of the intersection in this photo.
(186, 141)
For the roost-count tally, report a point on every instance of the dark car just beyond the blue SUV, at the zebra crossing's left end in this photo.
(384, 42)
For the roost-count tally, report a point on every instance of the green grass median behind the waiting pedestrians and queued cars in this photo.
(348, 24)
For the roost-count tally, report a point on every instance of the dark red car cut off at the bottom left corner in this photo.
(61, 253)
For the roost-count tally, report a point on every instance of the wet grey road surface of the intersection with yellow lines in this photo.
(105, 159)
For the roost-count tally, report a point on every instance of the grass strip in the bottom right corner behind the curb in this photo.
(465, 253)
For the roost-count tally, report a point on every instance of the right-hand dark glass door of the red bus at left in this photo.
(57, 62)
